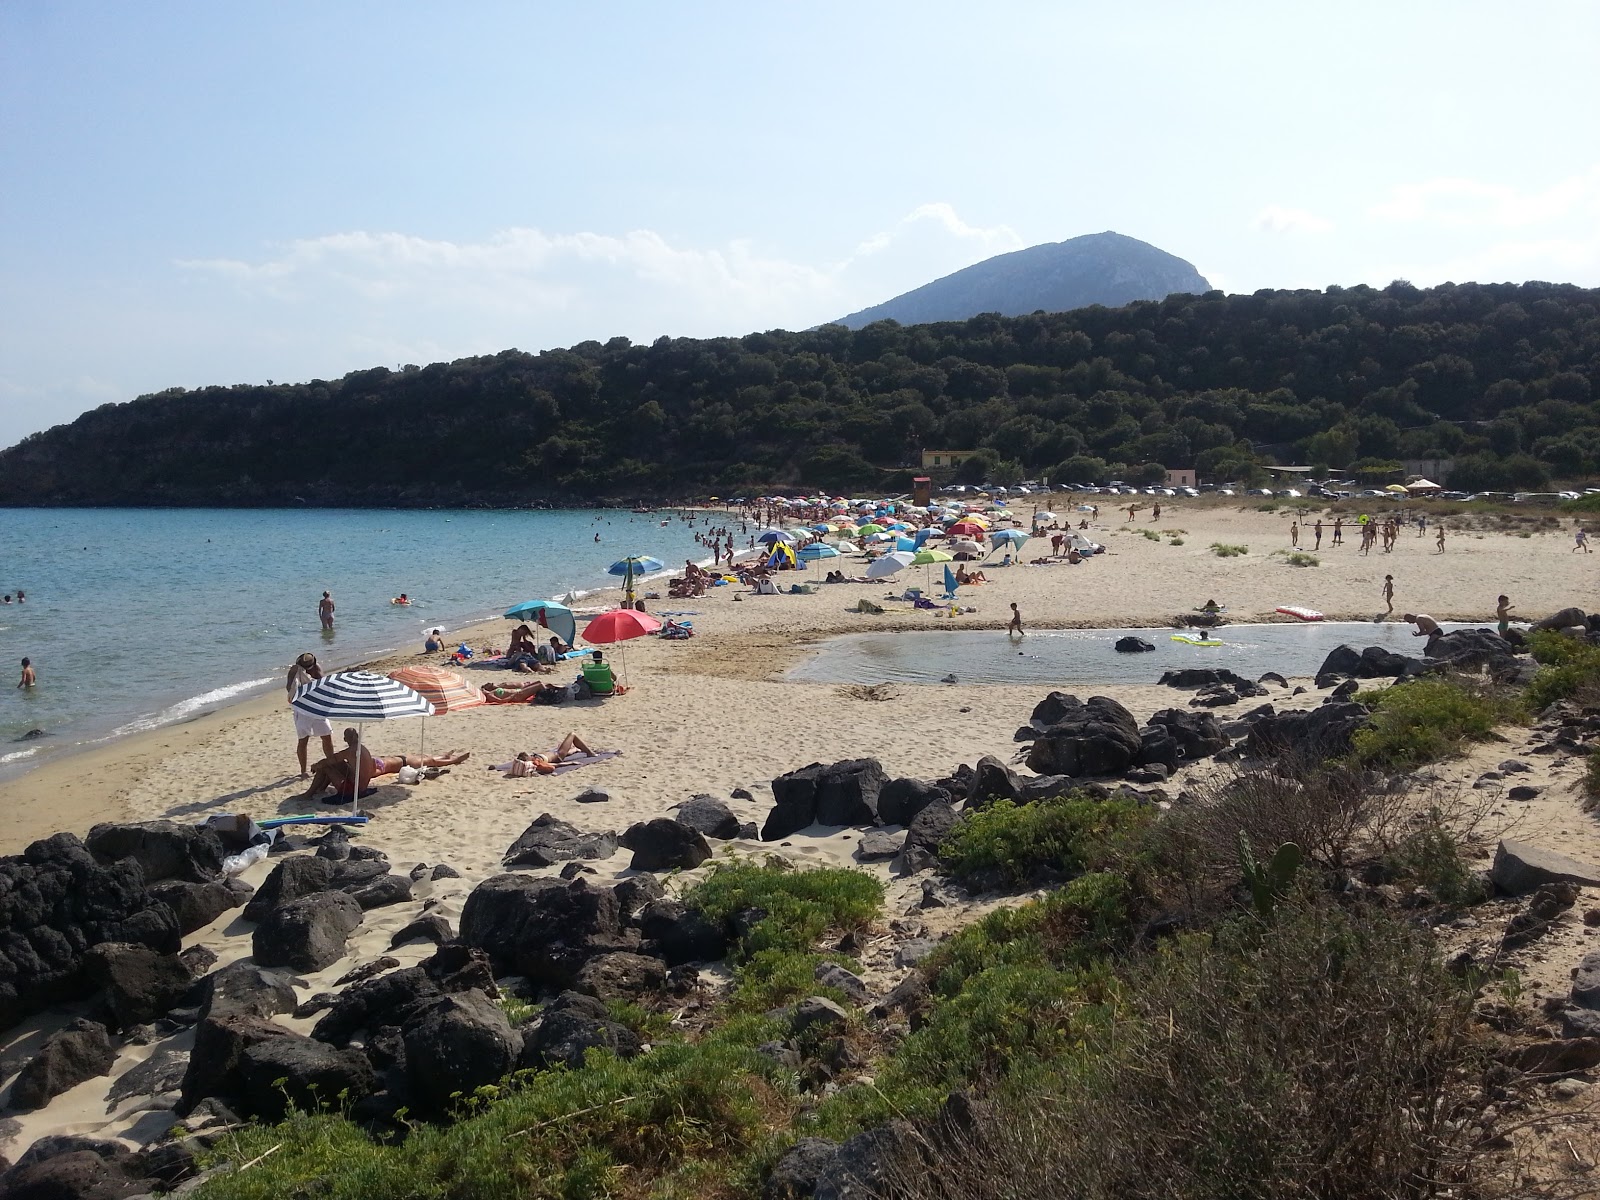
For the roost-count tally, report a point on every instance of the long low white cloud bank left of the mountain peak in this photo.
(583, 286)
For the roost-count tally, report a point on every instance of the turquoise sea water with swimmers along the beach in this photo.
(145, 617)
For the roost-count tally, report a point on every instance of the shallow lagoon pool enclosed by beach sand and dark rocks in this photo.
(1087, 657)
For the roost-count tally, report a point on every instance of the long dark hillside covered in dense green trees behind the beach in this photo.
(1498, 378)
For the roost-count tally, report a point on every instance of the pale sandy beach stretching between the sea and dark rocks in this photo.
(716, 716)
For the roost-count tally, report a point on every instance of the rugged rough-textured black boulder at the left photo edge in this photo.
(57, 900)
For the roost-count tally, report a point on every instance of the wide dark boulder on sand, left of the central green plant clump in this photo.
(543, 929)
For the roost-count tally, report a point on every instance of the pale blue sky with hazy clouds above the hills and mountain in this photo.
(233, 193)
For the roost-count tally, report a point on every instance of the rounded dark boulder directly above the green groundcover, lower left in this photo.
(457, 1046)
